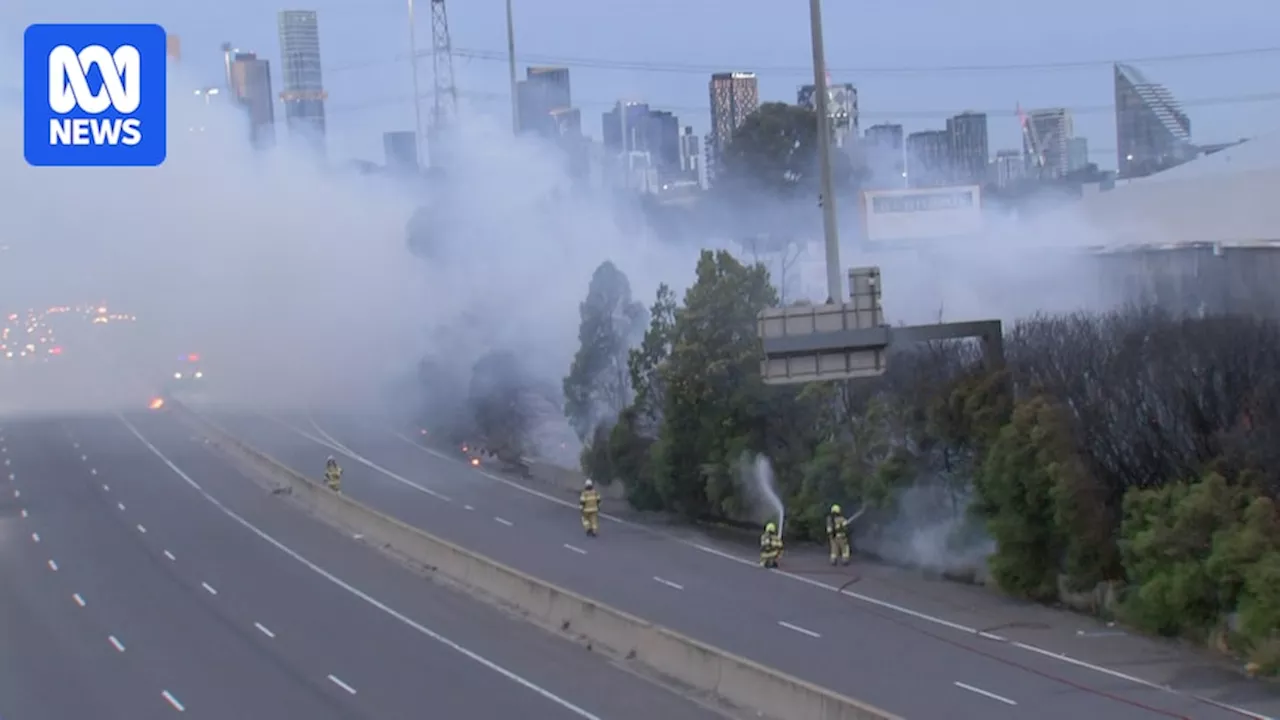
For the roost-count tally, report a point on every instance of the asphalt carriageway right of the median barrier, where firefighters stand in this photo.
(916, 667)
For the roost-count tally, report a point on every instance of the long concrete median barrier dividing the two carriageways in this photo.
(729, 678)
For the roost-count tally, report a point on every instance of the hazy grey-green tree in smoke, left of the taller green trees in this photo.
(598, 386)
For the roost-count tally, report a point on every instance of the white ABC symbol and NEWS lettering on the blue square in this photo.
(70, 92)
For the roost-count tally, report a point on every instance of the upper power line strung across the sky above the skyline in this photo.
(689, 69)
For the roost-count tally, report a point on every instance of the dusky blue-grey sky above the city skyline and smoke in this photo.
(903, 57)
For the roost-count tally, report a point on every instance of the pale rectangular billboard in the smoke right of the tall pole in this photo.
(929, 213)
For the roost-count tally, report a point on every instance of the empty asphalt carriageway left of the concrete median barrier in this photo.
(144, 577)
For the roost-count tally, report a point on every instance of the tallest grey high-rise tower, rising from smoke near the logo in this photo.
(300, 67)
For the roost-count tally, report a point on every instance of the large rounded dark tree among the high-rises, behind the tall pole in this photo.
(775, 152)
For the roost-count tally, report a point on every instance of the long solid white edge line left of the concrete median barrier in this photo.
(409, 622)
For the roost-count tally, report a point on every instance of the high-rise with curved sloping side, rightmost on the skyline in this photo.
(1153, 131)
